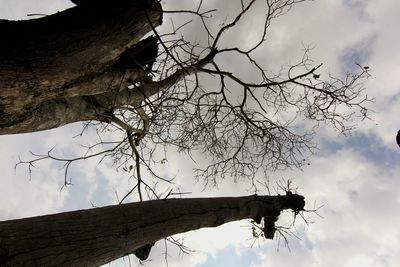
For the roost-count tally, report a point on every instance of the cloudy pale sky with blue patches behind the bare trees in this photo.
(355, 177)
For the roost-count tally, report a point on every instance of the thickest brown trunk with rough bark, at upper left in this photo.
(48, 66)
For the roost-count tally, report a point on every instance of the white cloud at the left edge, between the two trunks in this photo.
(19, 195)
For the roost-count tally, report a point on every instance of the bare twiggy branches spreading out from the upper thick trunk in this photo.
(242, 124)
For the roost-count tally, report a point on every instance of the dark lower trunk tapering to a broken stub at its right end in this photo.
(97, 236)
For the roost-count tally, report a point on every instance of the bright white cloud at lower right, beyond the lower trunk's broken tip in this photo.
(360, 212)
